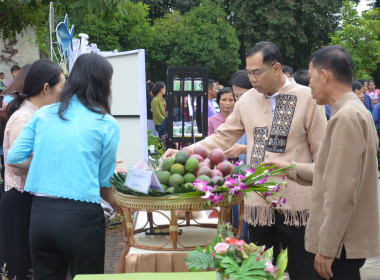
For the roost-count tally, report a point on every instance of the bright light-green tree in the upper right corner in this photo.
(360, 35)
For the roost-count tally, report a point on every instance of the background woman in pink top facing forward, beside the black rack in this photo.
(226, 101)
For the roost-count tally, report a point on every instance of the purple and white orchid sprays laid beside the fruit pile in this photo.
(243, 180)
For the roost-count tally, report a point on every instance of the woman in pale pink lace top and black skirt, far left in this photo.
(42, 86)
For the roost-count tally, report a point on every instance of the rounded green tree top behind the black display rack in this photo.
(201, 37)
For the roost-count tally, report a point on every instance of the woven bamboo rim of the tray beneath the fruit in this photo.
(170, 203)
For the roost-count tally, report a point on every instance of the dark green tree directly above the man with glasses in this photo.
(297, 27)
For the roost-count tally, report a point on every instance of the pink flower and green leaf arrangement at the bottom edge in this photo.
(234, 259)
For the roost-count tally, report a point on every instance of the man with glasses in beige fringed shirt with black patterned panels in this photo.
(281, 121)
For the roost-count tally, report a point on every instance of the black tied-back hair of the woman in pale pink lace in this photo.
(38, 74)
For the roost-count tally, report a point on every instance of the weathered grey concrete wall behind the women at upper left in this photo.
(20, 51)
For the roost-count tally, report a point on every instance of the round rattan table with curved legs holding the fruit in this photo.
(137, 204)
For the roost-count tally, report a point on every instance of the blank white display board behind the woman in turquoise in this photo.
(129, 104)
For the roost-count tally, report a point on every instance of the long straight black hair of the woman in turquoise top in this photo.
(90, 80)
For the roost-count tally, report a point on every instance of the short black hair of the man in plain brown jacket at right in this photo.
(337, 60)
